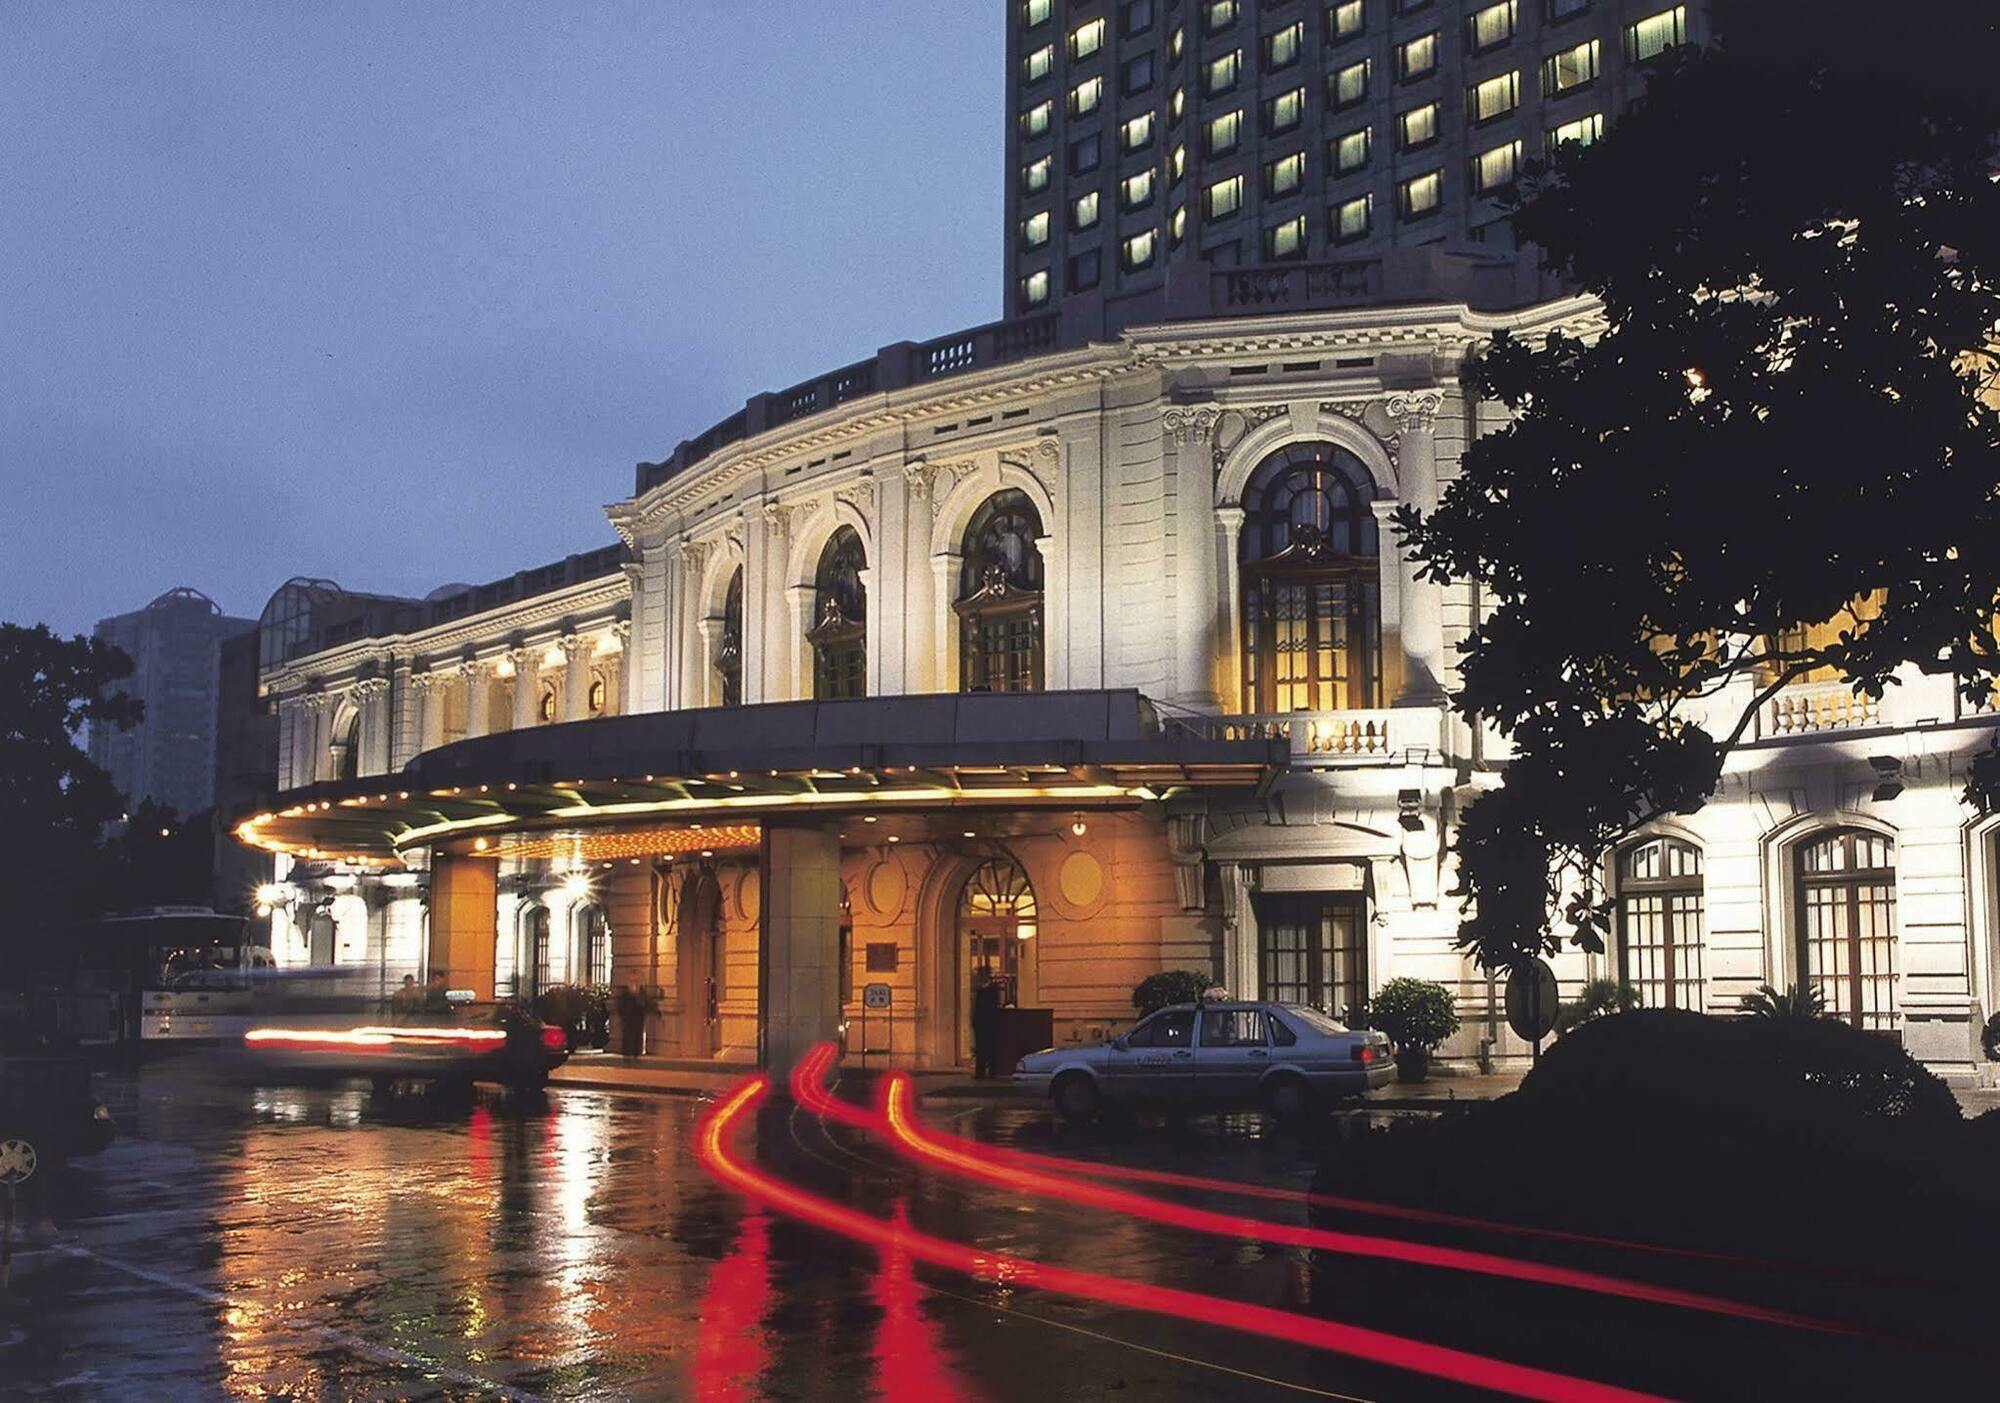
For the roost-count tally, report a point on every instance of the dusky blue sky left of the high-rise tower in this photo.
(399, 293)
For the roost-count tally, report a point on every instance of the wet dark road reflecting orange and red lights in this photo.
(325, 1244)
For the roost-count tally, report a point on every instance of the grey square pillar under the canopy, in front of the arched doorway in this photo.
(799, 944)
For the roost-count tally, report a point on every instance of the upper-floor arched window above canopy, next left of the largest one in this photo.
(1001, 599)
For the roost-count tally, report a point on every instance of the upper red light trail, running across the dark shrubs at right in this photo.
(905, 1132)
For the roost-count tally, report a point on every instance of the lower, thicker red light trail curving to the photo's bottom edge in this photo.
(1437, 1362)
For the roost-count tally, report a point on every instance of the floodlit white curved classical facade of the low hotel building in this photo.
(1189, 525)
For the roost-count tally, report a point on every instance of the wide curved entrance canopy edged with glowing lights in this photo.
(737, 766)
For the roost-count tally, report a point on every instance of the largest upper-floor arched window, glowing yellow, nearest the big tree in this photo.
(1311, 585)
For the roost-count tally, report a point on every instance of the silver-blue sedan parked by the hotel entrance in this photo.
(1215, 1058)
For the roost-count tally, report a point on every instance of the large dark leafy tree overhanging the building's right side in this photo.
(1777, 463)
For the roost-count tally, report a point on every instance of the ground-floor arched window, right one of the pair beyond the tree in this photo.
(1847, 924)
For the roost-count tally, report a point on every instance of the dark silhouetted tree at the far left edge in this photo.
(55, 804)
